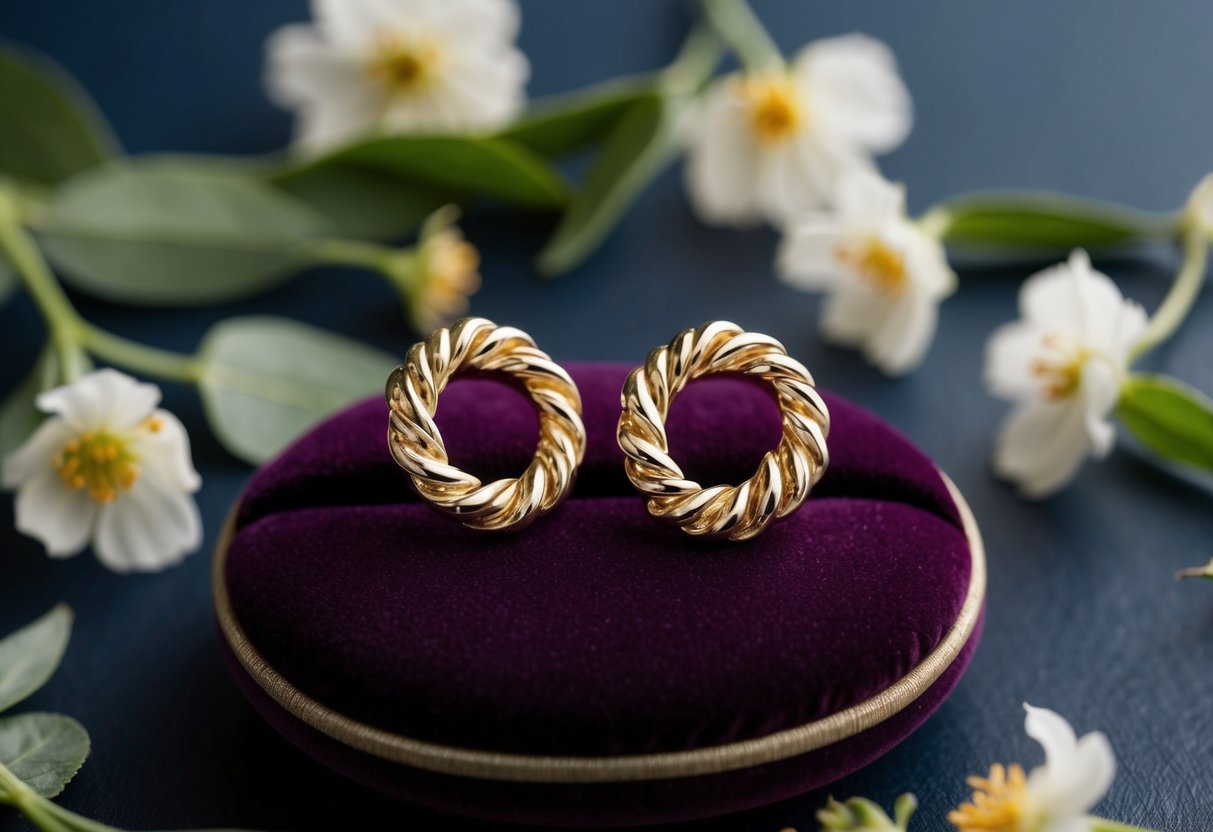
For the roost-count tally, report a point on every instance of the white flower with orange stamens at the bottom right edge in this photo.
(1055, 797)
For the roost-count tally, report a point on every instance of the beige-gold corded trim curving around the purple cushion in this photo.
(553, 770)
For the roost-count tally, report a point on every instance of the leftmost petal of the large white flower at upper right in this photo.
(721, 169)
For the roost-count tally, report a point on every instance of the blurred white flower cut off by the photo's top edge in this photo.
(398, 66)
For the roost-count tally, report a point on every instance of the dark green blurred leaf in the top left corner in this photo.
(52, 129)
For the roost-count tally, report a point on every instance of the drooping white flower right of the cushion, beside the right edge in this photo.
(1064, 363)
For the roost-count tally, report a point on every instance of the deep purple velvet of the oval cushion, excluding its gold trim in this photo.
(596, 631)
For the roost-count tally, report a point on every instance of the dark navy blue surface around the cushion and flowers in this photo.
(1104, 99)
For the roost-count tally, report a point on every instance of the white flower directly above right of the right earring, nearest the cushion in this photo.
(885, 273)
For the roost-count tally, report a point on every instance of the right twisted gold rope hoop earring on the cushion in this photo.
(785, 475)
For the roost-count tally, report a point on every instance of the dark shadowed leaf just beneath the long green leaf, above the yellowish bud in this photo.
(365, 204)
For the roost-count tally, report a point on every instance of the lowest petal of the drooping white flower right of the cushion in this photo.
(1041, 447)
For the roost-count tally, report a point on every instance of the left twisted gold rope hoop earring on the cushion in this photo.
(475, 345)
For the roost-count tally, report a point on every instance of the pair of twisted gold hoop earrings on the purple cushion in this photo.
(737, 512)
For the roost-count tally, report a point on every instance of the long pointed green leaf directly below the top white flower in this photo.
(469, 166)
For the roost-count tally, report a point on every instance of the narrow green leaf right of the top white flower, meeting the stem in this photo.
(560, 127)
